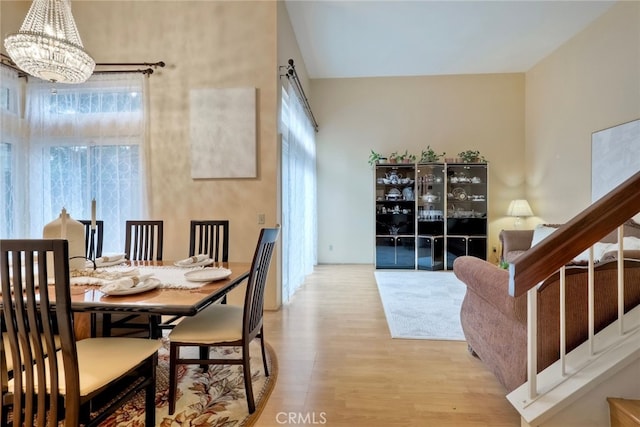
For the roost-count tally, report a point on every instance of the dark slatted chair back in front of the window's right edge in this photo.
(143, 240)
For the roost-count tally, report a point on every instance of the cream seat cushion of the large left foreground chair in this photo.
(102, 360)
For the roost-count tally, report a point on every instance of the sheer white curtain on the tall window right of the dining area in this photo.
(299, 200)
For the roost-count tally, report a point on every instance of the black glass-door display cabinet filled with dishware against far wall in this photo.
(429, 214)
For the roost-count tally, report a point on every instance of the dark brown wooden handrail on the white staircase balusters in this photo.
(580, 233)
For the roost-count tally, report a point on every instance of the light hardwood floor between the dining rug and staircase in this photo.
(338, 365)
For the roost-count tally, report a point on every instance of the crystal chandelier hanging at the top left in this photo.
(48, 45)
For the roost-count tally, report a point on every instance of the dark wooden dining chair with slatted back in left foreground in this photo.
(84, 381)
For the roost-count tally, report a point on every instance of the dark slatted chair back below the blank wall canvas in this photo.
(209, 237)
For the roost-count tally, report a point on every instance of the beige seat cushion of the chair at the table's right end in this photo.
(217, 323)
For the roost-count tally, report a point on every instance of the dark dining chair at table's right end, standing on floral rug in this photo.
(225, 325)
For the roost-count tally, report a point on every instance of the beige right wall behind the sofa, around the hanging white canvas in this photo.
(590, 83)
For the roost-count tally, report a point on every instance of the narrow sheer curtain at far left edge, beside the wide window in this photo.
(12, 144)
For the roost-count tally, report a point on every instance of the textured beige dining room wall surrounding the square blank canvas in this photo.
(205, 44)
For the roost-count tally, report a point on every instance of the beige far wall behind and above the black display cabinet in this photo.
(449, 113)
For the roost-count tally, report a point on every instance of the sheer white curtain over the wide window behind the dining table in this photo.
(87, 142)
